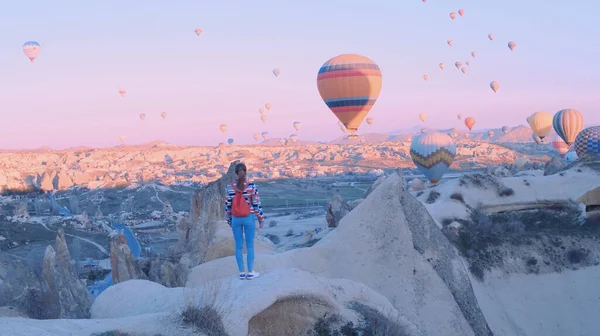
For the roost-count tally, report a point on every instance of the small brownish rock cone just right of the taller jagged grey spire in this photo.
(123, 264)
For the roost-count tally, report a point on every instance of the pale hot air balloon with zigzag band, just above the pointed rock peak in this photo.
(433, 153)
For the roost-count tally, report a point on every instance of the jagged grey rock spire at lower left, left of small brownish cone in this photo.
(67, 293)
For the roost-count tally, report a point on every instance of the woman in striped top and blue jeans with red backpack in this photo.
(242, 204)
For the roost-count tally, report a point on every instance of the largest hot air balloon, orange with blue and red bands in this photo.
(350, 85)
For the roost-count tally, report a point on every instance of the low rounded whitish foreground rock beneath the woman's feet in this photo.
(139, 297)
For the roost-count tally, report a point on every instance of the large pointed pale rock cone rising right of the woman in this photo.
(392, 240)
